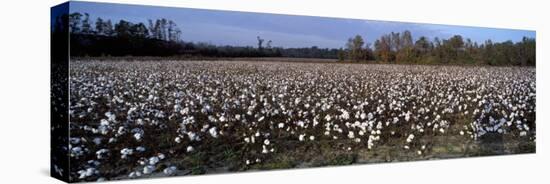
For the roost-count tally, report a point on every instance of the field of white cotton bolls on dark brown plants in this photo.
(158, 118)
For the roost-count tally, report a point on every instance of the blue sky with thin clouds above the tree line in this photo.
(241, 28)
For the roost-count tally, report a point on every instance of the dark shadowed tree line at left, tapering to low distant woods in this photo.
(162, 37)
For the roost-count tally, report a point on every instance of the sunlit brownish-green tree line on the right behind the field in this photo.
(398, 47)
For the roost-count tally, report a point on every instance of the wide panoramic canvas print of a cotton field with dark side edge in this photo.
(148, 91)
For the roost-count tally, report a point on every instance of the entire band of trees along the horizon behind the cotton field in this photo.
(162, 37)
